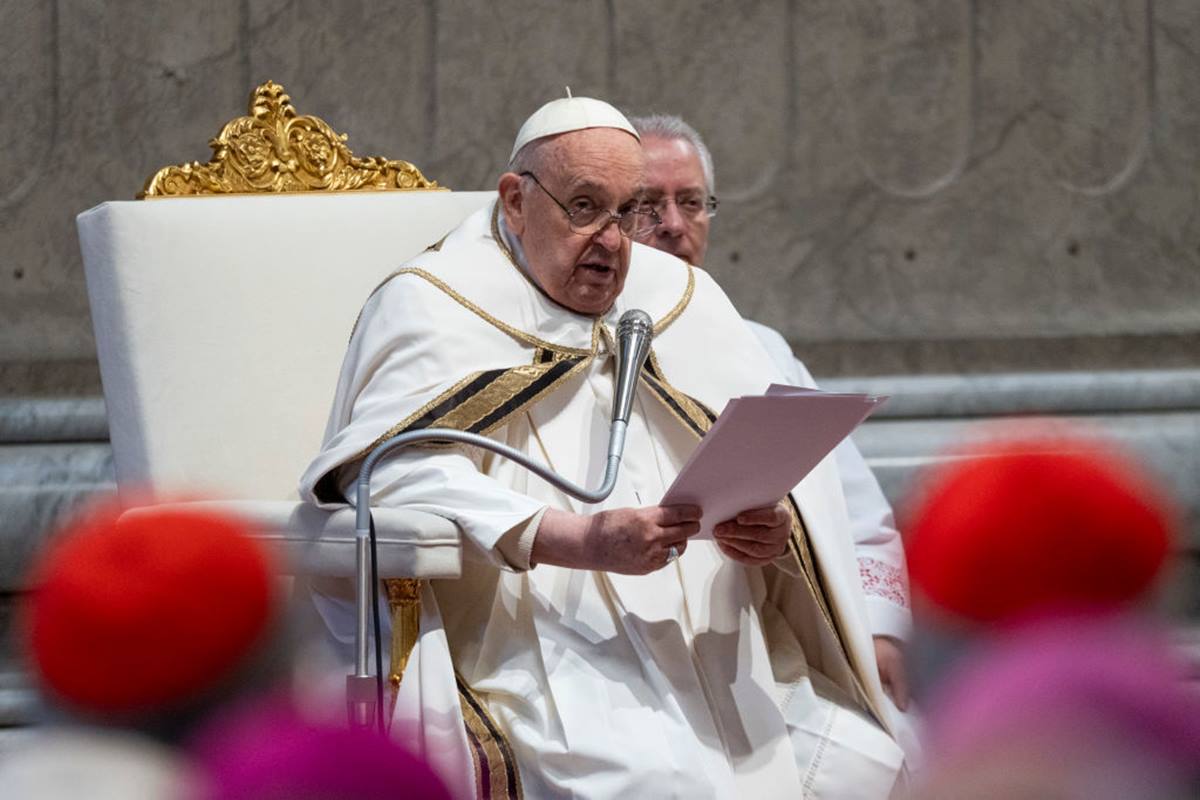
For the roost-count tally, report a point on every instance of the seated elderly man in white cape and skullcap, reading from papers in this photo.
(597, 652)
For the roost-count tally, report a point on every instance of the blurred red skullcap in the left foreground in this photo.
(146, 611)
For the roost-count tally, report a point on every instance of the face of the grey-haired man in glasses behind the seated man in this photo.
(675, 181)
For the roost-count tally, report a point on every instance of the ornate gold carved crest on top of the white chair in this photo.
(277, 151)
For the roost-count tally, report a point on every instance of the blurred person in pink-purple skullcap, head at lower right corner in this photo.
(1070, 709)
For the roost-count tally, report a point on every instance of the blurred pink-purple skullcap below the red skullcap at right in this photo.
(1085, 684)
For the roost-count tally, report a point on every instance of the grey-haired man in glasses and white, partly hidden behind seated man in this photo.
(681, 188)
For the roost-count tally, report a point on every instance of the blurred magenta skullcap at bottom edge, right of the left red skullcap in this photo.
(271, 754)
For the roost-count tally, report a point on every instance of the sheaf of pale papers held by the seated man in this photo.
(761, 447)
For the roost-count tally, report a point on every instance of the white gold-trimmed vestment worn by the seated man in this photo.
(705, 679)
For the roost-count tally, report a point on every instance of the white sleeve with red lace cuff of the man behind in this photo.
(878, 544)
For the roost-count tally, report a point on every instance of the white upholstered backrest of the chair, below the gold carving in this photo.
(221, 324)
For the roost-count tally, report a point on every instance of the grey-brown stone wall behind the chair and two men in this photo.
(934, 187)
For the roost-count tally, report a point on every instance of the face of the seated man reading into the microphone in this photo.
(598, 167)
